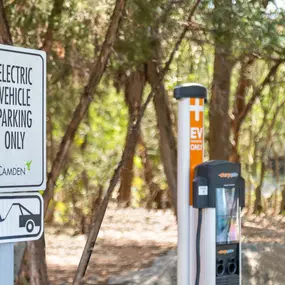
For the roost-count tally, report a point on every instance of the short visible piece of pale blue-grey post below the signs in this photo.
(7, 264)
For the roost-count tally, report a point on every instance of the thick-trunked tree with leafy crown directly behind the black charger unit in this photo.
(242, 53)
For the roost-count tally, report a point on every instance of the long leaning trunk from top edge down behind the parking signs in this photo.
(37, 248)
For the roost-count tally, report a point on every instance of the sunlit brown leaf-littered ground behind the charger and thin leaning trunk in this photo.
(130, 239)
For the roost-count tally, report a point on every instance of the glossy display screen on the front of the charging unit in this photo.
(227, 215)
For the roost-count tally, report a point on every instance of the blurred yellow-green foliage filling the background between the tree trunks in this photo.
(239, 28)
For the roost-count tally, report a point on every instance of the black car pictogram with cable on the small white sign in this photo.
(26, 219)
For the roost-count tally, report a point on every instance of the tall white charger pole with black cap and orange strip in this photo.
(191, 99)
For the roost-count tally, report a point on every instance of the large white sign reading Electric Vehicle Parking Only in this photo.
(22, 119)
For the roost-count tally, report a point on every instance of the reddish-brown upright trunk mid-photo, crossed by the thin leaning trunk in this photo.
(133, 96)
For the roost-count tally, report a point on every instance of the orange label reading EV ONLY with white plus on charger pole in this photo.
(196, 138)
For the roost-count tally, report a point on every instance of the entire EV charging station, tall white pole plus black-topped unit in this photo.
(210, 197)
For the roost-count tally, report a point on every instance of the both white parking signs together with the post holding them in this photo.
(22, 150)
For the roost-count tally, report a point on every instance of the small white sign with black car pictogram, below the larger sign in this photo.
(21, 217)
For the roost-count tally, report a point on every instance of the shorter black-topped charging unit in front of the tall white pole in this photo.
(218, 193)
